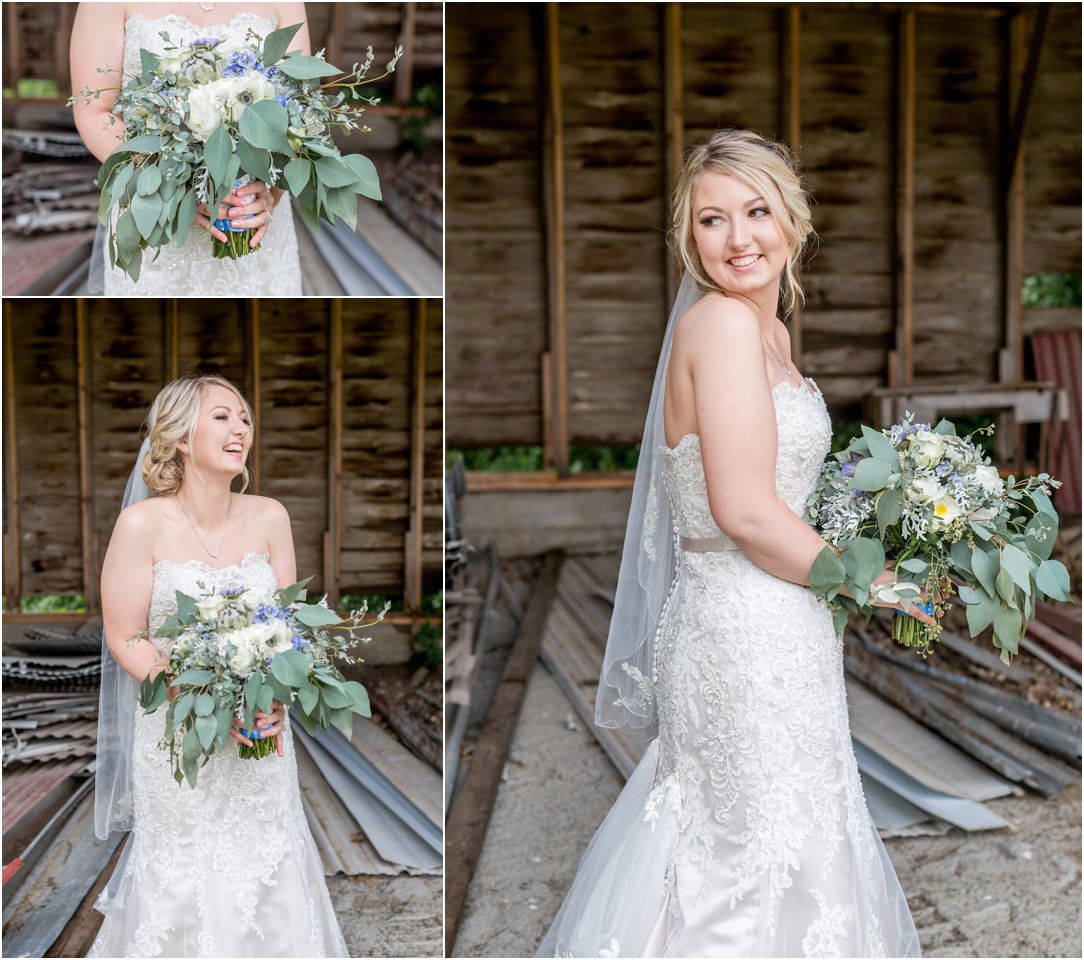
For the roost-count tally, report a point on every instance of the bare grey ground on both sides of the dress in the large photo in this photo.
(1006, 893)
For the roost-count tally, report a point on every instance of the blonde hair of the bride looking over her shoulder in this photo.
(769, 168)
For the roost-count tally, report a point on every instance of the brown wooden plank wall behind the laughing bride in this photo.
(131, 348)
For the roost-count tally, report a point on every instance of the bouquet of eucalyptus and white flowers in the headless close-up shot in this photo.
(212, 115)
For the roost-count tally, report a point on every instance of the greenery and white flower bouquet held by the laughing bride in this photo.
(237, 651)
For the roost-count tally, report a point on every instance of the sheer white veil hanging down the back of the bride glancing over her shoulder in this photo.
(627, 687)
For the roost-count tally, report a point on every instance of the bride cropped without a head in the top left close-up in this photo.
(112, 35)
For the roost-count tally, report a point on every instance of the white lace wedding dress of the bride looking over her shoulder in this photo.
(744, 832)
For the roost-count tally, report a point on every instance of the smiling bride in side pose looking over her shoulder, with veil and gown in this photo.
(743, 833)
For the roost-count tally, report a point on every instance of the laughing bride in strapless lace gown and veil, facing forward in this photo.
(227, 868)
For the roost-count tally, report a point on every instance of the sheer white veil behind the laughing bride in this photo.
(117, 712)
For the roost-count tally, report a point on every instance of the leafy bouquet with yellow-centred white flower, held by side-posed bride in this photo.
(933, 503)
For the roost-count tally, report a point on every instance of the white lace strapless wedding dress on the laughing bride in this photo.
(228, 868)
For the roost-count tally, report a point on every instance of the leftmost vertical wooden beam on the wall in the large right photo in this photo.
(557, 453)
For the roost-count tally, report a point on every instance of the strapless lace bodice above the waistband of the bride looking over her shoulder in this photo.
(805, 438)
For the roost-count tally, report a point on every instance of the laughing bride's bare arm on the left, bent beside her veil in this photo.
(127, 580)
